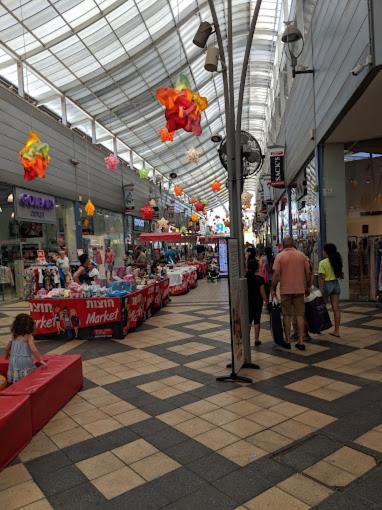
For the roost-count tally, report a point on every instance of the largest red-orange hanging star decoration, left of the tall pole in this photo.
(183, 108)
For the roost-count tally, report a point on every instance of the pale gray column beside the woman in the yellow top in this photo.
(334, 203)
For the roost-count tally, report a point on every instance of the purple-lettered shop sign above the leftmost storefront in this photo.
(35, 207)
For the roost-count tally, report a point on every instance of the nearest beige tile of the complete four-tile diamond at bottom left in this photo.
(118, 482)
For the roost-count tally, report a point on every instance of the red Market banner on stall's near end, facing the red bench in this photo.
(61, 316)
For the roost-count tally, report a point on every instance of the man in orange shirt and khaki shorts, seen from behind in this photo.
(291, 269)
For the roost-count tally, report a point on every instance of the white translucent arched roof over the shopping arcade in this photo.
(108, 57)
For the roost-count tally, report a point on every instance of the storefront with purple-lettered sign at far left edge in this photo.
(32, 226)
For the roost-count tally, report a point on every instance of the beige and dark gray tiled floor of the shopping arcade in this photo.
(153, 428)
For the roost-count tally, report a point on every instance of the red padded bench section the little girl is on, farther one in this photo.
(50, 387)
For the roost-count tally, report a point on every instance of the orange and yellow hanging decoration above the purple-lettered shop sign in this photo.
(34, 157)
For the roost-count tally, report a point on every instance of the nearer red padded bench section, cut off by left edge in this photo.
(15, 427)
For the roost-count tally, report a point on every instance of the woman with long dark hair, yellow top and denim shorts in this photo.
(330, 269)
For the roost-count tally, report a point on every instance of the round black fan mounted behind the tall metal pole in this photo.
(251, 155)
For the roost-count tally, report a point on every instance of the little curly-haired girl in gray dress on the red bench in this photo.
(21, 350)
